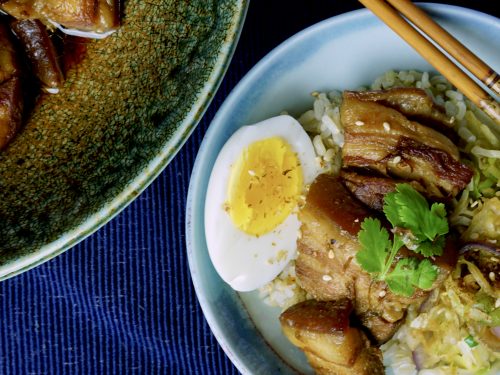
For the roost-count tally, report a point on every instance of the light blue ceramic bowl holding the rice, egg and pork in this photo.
(343, 52)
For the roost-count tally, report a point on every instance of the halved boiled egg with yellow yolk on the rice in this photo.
(254, 191)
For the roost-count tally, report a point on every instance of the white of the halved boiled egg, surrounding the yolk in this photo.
(244, 261)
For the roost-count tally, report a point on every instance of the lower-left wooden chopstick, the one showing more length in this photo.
(435, 57)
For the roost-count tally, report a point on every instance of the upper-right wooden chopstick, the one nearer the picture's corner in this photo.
(447, 42)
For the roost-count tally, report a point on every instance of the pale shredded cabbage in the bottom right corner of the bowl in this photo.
(440, 337)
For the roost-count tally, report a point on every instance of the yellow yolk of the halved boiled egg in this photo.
(264, 186)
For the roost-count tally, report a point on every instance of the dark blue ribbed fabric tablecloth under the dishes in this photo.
(122, 301)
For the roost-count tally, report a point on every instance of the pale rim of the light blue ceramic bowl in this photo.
(194, 190)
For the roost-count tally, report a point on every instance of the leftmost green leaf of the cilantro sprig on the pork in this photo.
(375, 245)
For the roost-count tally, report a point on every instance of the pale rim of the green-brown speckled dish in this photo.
(150, 172)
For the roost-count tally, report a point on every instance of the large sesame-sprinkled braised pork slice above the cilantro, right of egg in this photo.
(382, 139)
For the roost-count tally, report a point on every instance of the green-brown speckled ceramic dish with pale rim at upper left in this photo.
(123, 113)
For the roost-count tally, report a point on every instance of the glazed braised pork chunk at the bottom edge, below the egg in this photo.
(332, 346)
